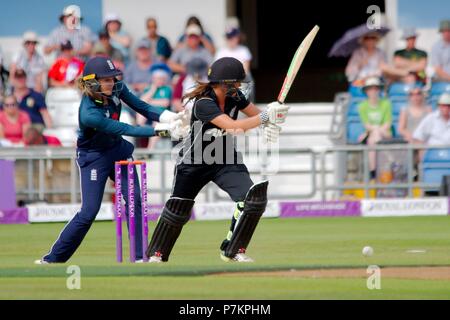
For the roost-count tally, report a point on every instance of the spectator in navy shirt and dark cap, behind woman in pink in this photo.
(31, 102)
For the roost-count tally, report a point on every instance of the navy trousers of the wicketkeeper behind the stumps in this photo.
(95, 168)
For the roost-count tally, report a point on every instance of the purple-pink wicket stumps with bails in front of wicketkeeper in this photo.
(131, 210)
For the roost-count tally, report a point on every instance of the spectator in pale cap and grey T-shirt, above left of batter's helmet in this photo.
(191, 50)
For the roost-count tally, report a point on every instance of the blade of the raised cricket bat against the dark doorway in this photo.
(296, 63)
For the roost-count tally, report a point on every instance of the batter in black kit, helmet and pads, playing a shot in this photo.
(208, 154)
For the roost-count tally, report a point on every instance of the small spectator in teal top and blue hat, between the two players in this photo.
(158, 94)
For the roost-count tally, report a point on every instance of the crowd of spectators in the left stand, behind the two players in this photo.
(156, 70)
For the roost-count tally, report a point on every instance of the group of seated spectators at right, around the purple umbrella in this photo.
(419, 119)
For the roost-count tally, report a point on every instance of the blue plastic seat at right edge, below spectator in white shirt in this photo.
(436, 164)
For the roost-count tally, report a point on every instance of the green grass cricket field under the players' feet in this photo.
(193, 271)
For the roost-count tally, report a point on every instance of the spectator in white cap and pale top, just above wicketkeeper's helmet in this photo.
(119, 39)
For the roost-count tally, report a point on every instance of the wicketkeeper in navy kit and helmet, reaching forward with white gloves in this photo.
(99, 145)
